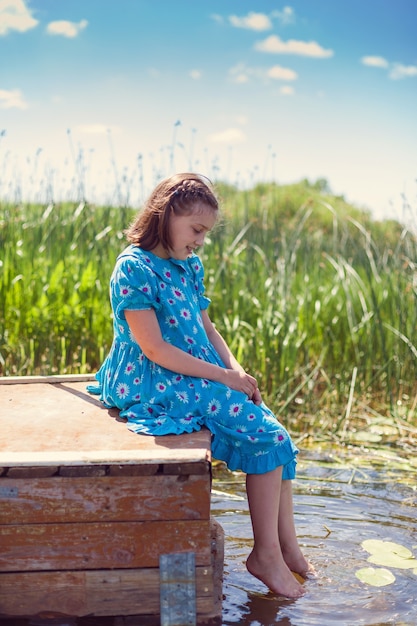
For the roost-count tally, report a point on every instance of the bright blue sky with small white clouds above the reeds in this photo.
(102, 97)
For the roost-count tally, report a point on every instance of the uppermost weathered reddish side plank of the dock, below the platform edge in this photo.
(106, 498)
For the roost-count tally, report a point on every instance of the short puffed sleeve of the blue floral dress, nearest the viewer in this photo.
(133, 286)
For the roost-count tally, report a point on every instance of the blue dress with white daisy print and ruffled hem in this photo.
(158, 401)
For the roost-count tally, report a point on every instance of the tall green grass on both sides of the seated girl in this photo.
(314, 298)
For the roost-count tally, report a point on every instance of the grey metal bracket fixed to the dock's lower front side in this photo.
(177, 585)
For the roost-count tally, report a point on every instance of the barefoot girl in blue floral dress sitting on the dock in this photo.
(169, 371)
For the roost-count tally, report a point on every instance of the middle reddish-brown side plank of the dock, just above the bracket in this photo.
(100, 545)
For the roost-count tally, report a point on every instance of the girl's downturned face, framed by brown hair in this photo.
(188, 232)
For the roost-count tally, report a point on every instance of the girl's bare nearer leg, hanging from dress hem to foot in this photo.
(266, 561)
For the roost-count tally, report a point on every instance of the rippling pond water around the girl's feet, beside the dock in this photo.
(335, 511)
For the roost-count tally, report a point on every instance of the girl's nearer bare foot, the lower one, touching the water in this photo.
(274, 573)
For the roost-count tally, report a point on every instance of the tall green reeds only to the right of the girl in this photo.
(313, 292)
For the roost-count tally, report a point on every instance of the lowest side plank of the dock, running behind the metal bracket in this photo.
(105, 592)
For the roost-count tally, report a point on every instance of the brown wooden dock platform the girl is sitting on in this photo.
(88, 508)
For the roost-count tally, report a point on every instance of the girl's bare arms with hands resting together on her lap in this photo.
(146, 331)
